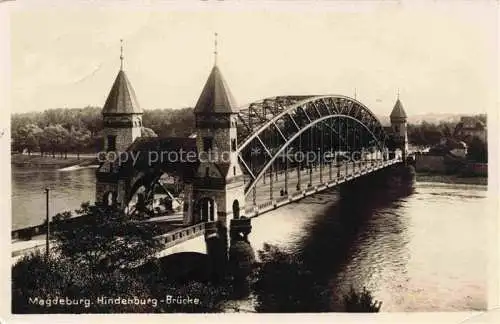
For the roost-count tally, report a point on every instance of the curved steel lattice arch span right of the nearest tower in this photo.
(329, 123)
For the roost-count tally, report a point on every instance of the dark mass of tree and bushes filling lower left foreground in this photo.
(96, 256)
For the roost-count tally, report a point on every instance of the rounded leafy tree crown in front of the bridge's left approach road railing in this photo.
(106, 236)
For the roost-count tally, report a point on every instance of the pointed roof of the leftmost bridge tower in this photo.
(121, 98)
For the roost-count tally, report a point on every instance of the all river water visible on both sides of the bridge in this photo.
(424, 250)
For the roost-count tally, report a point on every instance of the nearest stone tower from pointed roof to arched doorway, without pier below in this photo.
(218, 187)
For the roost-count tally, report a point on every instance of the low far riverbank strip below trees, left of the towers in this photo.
(23, 160)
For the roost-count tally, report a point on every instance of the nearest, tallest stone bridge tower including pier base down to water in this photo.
(218, 188)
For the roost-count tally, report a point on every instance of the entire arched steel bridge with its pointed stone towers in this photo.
(241, 161)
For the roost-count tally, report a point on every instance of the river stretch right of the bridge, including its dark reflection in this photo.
(416, 248)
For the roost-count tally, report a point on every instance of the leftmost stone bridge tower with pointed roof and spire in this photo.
(122, 117)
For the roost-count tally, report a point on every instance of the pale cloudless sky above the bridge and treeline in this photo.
(442, 56)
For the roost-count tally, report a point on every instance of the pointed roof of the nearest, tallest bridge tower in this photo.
(215, 97)
